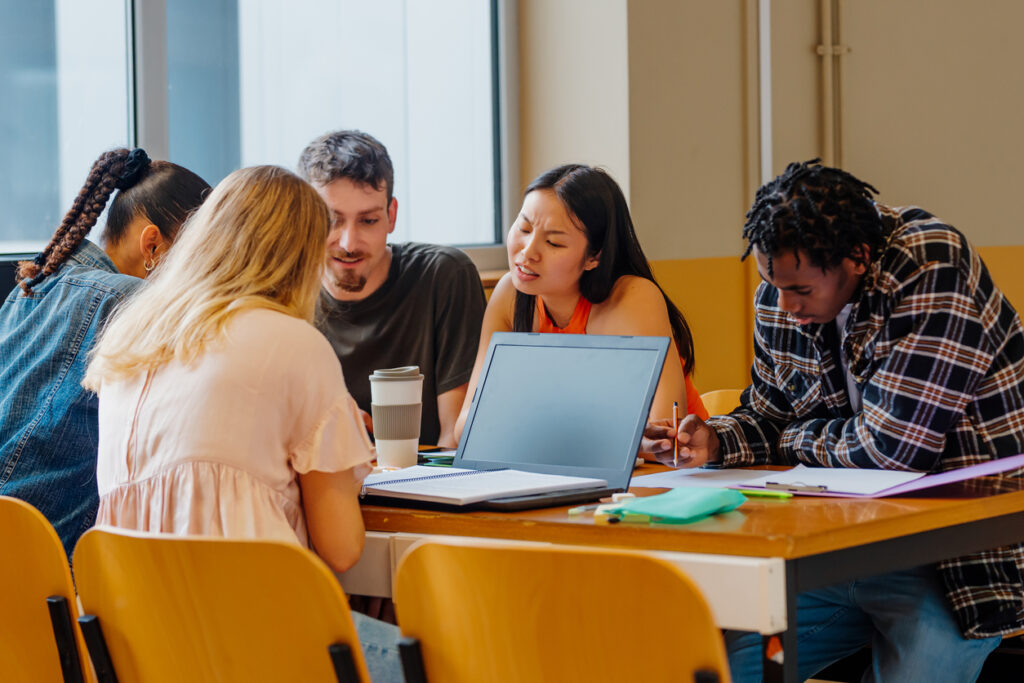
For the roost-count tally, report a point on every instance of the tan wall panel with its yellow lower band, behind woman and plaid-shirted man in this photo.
(694, 160)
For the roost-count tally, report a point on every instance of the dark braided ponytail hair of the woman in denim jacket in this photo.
(163, 192)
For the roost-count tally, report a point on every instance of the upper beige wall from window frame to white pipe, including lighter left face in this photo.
(660, 94)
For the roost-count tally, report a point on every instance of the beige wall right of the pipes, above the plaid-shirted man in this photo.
(936, 121)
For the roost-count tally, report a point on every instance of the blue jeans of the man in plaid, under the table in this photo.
(904, 616)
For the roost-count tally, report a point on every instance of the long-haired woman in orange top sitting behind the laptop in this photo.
(577, 268)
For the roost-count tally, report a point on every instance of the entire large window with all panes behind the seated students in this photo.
(221, 84)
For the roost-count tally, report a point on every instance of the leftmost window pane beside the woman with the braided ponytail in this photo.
(64, 75)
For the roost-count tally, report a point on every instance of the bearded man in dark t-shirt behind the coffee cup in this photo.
(387, 306)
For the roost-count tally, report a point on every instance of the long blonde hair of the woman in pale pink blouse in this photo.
(258, 242)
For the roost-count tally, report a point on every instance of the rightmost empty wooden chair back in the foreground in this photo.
(478, 612)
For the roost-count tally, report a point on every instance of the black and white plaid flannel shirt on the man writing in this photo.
(938, 354)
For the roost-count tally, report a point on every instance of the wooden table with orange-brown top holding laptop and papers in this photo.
(751, 564)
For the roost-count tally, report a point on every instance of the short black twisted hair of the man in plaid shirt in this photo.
(824, 212)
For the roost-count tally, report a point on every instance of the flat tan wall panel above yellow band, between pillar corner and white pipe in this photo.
(693, 125)
